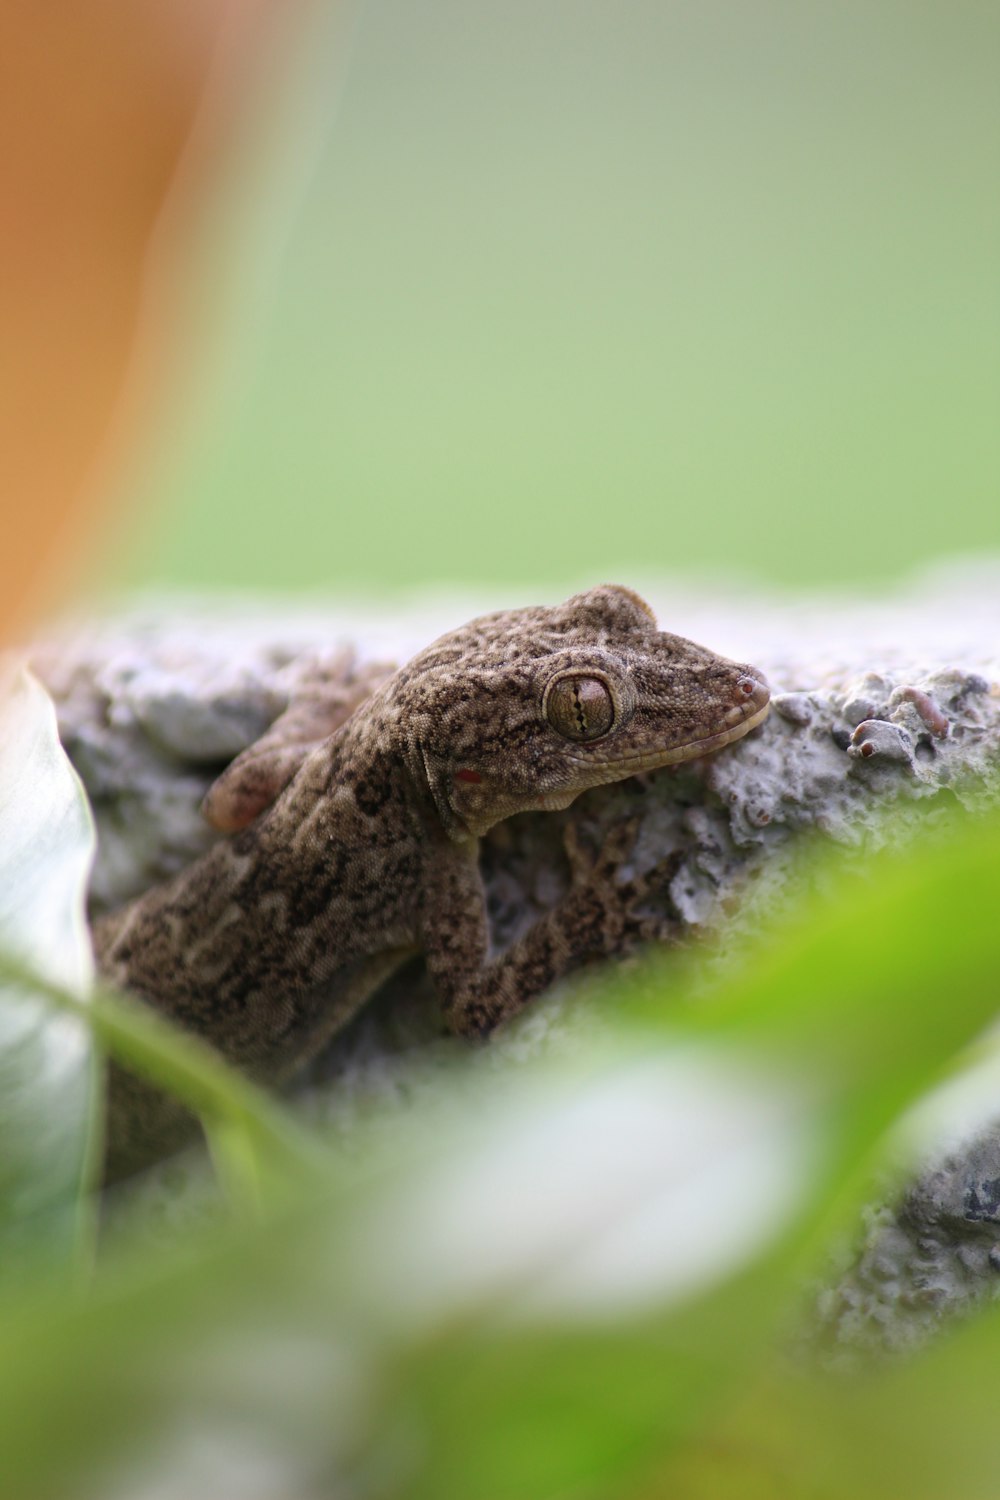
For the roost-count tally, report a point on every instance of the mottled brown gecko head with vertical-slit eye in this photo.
(524, 710)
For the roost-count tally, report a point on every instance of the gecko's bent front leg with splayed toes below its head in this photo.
(597, 919)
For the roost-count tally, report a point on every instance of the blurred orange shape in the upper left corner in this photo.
(115, 118)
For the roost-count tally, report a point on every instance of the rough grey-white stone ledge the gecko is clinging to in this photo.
(887, 713)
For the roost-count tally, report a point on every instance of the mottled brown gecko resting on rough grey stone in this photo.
(355, 835)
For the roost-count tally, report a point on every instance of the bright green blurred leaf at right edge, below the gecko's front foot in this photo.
(873, 991)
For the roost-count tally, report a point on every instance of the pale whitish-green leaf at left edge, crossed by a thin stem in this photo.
(47, 1066)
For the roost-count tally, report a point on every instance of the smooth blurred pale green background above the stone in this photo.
(555, 292)
